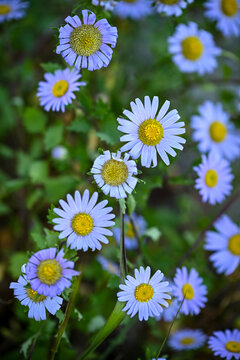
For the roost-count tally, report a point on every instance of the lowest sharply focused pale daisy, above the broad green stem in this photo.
(144, 295)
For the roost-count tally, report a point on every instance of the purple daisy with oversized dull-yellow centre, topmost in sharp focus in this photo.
(86, 43)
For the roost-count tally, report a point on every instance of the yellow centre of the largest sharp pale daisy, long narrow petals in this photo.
(150, 132)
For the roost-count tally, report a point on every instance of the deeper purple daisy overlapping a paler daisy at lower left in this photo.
(49, 273)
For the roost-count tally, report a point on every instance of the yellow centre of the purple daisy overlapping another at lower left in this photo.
(49, 271)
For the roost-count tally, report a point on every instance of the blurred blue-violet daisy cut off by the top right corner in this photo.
(227, 15)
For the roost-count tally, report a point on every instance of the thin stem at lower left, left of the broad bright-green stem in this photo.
(67, 315)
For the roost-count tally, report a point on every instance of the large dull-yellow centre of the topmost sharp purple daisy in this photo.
(85, 40)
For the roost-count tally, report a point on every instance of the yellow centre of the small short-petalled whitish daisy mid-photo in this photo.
(114, 172)
